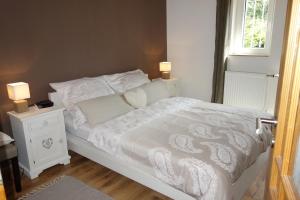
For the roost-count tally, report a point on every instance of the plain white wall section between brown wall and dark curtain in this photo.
(191, 42)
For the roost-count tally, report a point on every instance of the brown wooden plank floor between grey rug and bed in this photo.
(105, 180)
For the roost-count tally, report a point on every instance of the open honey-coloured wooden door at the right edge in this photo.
(282, 184)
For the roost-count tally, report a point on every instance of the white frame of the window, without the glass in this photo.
(237, 28)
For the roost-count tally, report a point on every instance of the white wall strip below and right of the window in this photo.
(270, 64)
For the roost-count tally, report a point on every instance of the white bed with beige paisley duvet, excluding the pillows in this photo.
(181, 147)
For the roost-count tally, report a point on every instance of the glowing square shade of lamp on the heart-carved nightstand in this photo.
(18, 91)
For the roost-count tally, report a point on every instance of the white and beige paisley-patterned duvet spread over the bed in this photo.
(197, 147)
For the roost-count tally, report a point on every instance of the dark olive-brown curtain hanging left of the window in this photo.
(221, 46)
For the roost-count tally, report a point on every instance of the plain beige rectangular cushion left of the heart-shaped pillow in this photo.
(102, 109)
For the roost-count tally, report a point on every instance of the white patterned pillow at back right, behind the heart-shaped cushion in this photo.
(125, 81)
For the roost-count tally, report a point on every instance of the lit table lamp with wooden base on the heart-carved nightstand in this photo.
(19, 92)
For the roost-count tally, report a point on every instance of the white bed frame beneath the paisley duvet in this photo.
(143, 177)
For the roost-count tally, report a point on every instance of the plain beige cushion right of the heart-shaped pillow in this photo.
(155, 91)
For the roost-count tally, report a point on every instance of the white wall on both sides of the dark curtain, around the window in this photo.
(191, 42)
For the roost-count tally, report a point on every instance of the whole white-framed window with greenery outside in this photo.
(251, 31)
